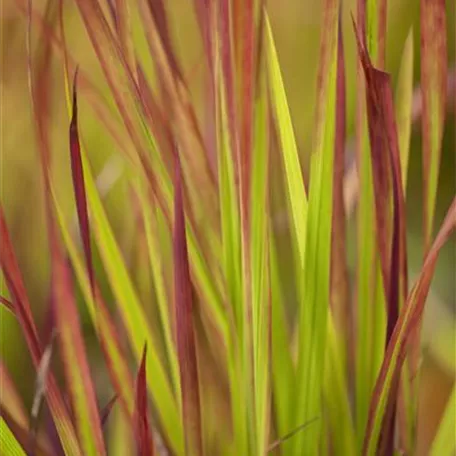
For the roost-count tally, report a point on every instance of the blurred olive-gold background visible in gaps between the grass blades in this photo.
(296, 25)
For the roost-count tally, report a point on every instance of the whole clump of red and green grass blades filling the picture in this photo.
(224, 361)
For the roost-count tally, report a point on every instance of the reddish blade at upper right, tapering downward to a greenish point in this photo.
(434, 62)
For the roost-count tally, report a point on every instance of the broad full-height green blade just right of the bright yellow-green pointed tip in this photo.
(314, 308)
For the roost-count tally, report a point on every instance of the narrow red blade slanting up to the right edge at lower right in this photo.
(409, 320)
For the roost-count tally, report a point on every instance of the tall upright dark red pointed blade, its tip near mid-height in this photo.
(183, 305)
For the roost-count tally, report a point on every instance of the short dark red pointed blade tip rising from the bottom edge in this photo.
(143, 432)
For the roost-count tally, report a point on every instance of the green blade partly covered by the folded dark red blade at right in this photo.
(370, 298)
